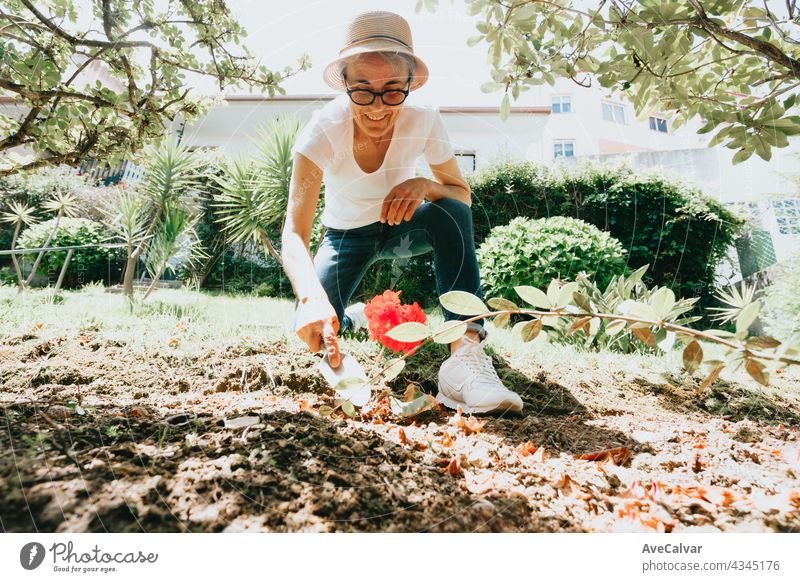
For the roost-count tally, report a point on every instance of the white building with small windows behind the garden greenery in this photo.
(568, 123)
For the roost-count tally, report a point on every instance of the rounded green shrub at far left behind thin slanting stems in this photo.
(86, 265)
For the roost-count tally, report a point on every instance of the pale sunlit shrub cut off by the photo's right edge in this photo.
(781, 313)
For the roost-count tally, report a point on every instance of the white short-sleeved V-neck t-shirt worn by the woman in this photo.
(353, 197)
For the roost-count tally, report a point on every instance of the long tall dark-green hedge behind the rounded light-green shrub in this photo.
(680, 232)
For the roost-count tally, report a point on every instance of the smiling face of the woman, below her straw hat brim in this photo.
(373, 72)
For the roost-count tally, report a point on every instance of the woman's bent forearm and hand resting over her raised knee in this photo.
(405, 198)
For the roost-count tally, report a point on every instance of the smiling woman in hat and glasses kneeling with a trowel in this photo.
(365, 144)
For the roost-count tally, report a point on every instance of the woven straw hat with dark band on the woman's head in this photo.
(374, 32)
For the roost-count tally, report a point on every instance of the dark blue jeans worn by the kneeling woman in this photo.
(444, 226)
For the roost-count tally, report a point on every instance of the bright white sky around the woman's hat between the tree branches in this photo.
(279, 31)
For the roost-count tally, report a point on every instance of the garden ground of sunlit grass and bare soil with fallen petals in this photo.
(199, 412)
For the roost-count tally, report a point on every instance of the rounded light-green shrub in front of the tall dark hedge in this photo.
(534, 252)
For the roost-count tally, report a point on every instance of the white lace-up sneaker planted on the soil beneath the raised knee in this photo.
(468, 379)
